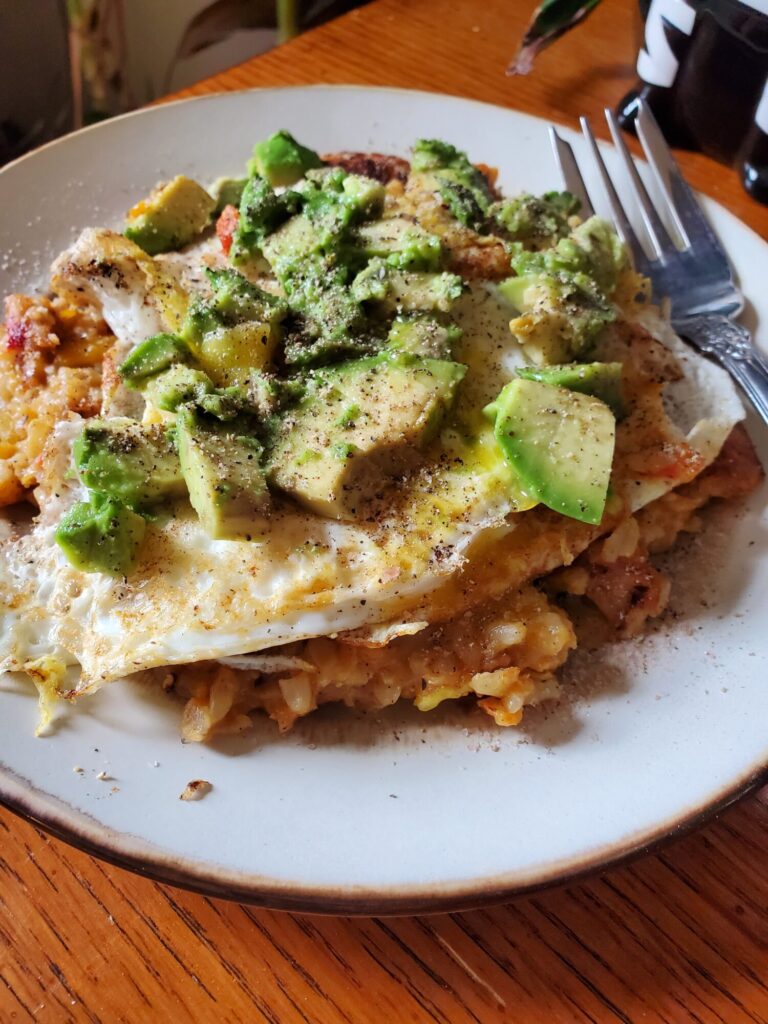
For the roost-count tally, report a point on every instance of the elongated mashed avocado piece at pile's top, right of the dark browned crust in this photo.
(463, 189)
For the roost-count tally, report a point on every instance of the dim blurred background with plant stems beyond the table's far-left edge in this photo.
(65, 64)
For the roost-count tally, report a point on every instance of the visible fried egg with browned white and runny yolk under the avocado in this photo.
(193, 599)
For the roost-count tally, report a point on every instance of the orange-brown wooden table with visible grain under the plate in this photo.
(679, 936)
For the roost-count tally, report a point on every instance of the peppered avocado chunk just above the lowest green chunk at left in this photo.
(136, 464)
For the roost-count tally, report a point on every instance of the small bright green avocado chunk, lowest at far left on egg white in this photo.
(101, 536)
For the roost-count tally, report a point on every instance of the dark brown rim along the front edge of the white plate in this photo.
(369, 903)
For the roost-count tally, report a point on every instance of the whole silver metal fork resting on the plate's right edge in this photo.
(697, 277)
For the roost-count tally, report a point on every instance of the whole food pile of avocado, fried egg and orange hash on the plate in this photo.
(350, 429)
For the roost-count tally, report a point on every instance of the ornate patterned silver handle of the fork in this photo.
(732, 346)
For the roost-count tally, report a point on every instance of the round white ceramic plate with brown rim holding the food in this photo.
(403, 812)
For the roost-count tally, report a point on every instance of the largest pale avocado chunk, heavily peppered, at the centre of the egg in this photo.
(360, 424)
